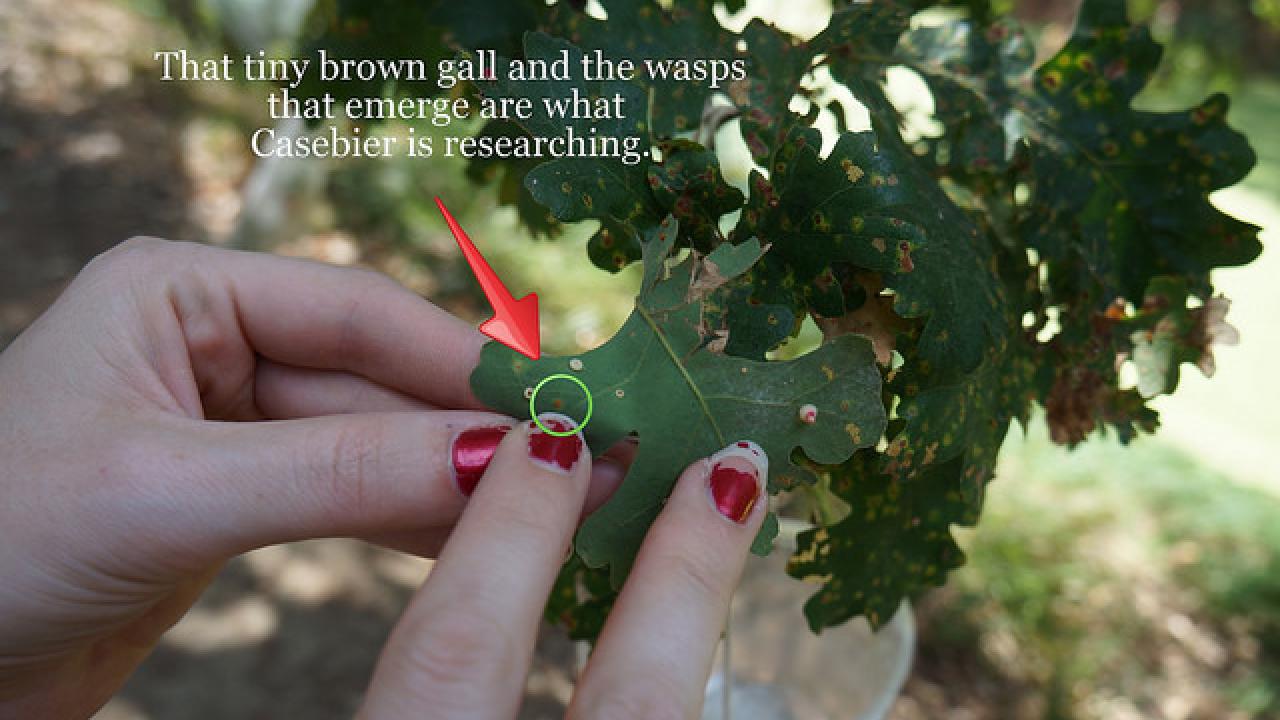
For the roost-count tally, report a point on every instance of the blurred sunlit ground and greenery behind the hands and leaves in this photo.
(1110, 582)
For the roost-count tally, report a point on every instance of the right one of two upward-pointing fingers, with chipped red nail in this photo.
(657, 648)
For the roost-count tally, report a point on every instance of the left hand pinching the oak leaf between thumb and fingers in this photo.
(180, 405)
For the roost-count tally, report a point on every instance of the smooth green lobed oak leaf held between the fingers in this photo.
(661, 381)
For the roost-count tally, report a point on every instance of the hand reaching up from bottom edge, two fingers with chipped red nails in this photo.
(464, 646)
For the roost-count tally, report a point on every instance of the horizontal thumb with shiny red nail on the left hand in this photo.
(271, 482)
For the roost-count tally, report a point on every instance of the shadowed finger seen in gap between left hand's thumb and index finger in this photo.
(284, 393)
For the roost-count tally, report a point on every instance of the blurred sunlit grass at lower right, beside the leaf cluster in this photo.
(1116, 572)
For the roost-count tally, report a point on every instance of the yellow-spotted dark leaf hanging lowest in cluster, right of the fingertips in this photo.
(897, 540)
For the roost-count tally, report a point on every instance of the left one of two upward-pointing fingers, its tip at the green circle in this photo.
(465, 642)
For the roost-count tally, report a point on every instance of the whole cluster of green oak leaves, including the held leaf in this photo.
(1041, 239)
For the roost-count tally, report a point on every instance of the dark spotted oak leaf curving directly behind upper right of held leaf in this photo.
(872, 206)
